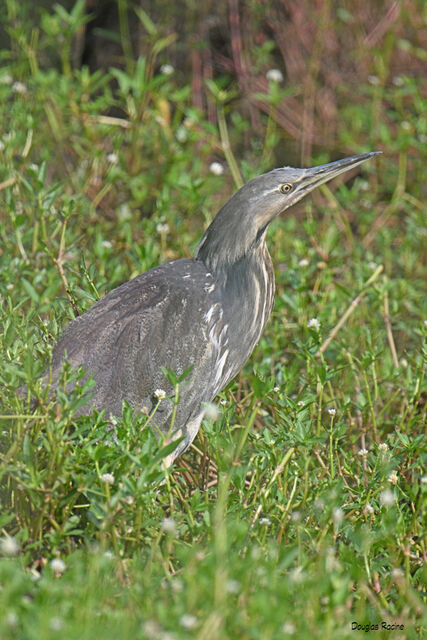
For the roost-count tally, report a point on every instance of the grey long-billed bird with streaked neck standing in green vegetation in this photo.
(200, 317)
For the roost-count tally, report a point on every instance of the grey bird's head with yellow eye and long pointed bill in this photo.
(243, 220)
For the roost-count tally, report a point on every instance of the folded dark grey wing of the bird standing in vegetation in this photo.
(159, 319)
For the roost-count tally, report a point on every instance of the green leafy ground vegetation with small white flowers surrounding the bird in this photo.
(300, 510)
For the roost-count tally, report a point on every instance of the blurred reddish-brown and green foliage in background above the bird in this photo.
(327, 52)
